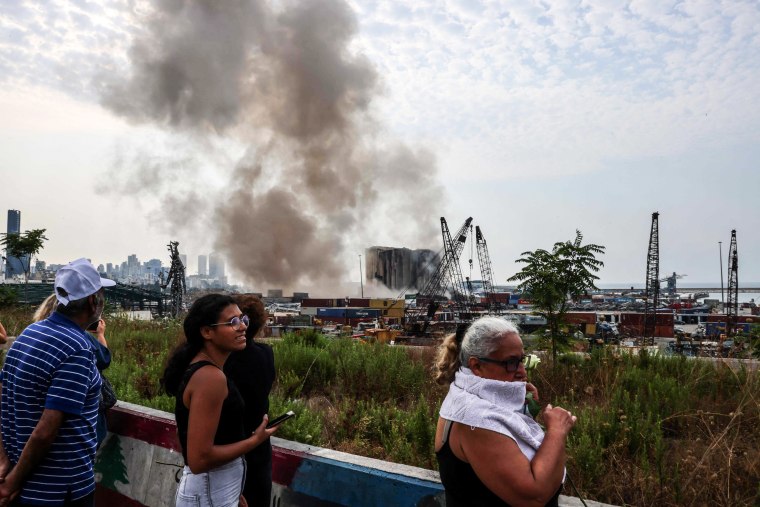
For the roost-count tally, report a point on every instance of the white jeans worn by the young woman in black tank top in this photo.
(219, 487)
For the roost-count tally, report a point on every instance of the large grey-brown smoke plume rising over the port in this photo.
(317, 180)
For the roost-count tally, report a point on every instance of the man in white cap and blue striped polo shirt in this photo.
(50, 397)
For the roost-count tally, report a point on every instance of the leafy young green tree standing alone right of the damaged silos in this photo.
(551, 278)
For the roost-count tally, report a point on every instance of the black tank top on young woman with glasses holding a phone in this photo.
(230, 428)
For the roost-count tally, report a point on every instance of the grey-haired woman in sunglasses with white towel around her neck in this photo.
(490, 452)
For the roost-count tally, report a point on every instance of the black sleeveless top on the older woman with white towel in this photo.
(462, 486)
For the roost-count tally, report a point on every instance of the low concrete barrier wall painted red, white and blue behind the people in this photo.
(139, 461)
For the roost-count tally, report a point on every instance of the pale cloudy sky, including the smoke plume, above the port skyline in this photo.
(291, 135)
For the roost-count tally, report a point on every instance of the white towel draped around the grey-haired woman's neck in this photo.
(492, 405)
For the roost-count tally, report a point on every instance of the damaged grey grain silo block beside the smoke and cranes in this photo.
(400, 268)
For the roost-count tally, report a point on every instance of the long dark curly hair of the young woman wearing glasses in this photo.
(204, 311)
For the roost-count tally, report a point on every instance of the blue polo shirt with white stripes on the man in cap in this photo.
(51, 365)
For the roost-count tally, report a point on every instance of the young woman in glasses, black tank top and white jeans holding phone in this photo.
(209, 409)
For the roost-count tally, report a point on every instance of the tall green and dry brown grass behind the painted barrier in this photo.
(651, 430)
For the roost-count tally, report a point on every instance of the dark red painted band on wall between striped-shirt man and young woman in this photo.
(141, 426)
